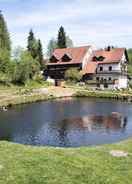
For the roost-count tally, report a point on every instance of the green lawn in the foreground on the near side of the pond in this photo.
(31, 165)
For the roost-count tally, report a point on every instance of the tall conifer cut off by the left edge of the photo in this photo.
(5, 43)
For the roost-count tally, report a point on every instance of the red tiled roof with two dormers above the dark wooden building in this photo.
(77, 54)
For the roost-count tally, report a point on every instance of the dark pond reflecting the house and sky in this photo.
(67, 123)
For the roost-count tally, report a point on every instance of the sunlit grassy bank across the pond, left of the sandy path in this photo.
(14, 95)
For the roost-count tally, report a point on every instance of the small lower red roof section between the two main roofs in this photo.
(89, 68)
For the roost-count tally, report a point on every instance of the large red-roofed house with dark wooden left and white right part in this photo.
(105, 68)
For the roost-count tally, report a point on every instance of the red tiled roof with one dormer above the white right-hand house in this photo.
(112, 56)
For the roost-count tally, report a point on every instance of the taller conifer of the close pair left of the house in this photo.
(32, 45)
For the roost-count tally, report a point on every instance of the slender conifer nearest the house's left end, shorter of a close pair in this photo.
(40, 53)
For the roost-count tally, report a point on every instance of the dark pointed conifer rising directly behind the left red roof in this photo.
(61, 41)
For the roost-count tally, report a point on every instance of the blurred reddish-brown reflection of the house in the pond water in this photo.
(114, 121)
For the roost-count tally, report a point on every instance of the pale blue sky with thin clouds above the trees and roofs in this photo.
(97, 22)
